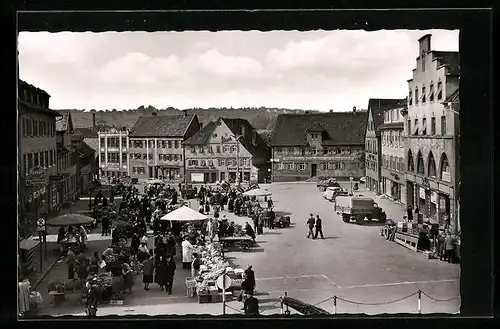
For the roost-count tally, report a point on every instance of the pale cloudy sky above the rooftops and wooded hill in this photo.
(312, 70)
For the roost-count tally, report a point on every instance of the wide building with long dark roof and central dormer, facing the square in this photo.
(319, 145)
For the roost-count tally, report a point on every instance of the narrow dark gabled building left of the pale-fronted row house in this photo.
(373, 146)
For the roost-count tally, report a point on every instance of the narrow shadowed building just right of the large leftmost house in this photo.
(67, 158)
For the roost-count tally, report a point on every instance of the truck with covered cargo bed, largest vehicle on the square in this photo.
(358, 208)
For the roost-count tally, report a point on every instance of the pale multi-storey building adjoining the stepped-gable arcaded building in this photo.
(393, 155)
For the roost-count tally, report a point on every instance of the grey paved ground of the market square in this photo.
(353, 262)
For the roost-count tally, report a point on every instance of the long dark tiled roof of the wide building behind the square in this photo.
(340, 128)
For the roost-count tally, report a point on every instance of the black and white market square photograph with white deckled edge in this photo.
(239, 173)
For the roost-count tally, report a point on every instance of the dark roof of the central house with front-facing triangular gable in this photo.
(235, 125)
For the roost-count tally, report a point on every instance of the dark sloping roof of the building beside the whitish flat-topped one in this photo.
(161, 126)
